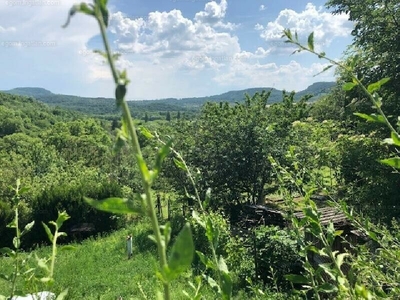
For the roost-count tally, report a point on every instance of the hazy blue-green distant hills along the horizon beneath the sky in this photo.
(106, 106)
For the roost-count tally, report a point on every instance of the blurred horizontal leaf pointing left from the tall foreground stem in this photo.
(115, 205)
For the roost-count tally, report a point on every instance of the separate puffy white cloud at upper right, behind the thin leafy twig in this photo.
(325, 25)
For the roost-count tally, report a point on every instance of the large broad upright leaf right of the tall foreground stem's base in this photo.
(182, 253)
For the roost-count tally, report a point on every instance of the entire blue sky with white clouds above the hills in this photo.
(170, 48)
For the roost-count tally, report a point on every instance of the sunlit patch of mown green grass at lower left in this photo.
(99, 268)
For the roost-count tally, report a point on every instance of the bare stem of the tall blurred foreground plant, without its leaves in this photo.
(136, 148)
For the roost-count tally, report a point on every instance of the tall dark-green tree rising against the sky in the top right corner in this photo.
(375, 48)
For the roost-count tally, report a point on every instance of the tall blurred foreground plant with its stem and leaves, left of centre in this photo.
(183, 249)
